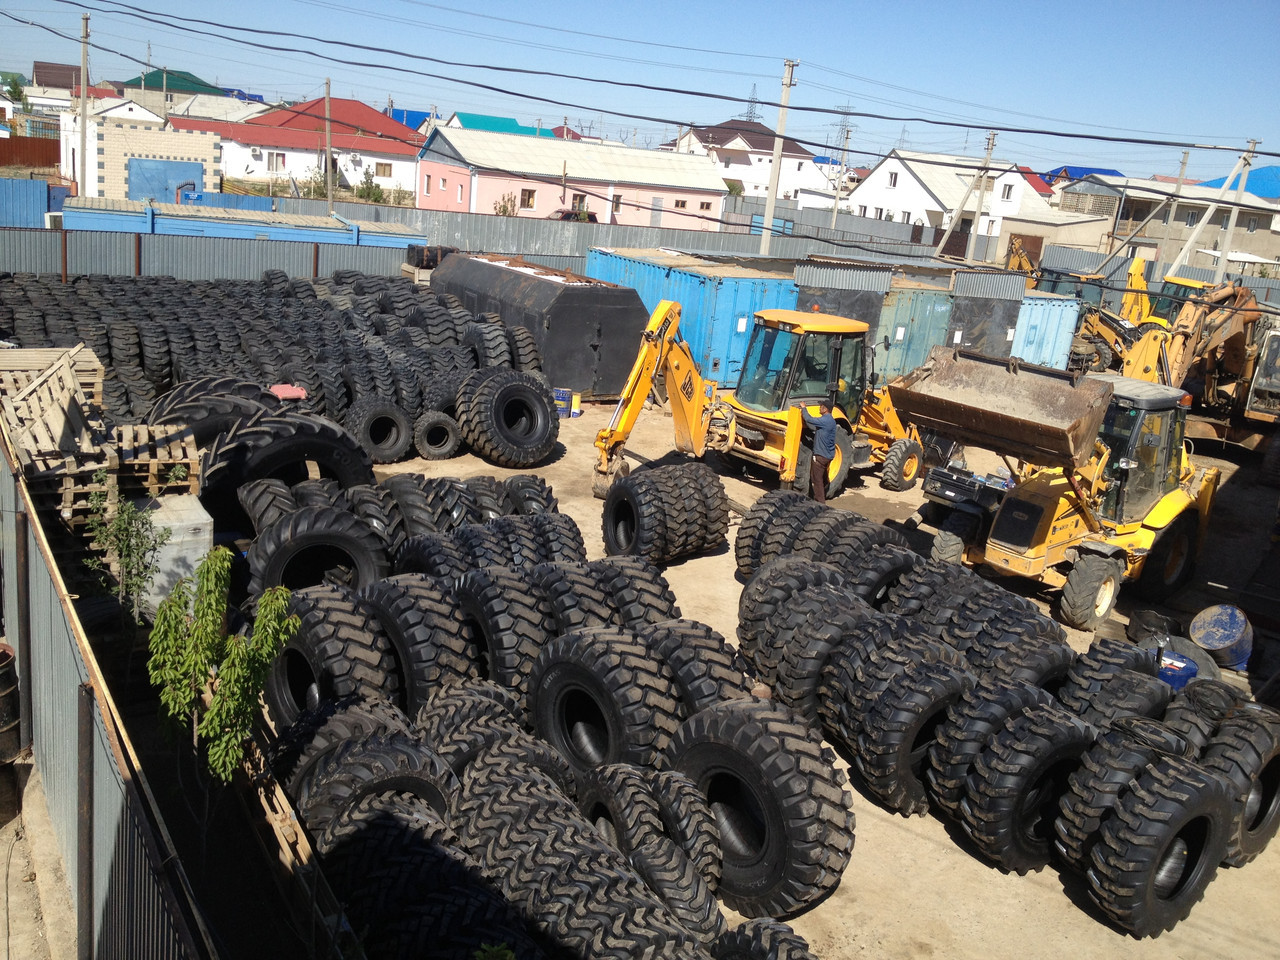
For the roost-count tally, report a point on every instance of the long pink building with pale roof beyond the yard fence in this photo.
(478, 172)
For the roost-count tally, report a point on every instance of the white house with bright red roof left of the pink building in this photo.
(289, 143)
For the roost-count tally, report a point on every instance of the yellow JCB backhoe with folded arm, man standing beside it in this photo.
(793, 359)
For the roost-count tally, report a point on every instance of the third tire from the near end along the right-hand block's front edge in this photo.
(1013, 790)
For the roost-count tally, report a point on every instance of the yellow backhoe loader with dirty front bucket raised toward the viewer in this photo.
(1098, 488)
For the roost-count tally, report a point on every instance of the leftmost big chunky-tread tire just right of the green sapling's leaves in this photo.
(336, 652)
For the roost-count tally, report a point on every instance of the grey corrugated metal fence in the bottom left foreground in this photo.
(140, 904)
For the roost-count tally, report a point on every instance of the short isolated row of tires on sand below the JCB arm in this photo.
(664, 514)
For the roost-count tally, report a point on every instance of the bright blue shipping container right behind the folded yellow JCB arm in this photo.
(719, 301)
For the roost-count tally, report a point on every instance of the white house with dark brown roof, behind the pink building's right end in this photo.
(743, 154)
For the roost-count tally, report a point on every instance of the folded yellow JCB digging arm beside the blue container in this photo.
(662, 354)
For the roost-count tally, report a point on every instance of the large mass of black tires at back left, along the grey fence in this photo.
(380, 355)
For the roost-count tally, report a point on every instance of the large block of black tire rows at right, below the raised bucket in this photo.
(954, 694)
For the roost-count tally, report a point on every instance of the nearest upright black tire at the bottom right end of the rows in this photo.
(1162, 848)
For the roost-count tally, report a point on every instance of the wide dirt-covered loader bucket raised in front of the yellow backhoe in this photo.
(1035, 414)
